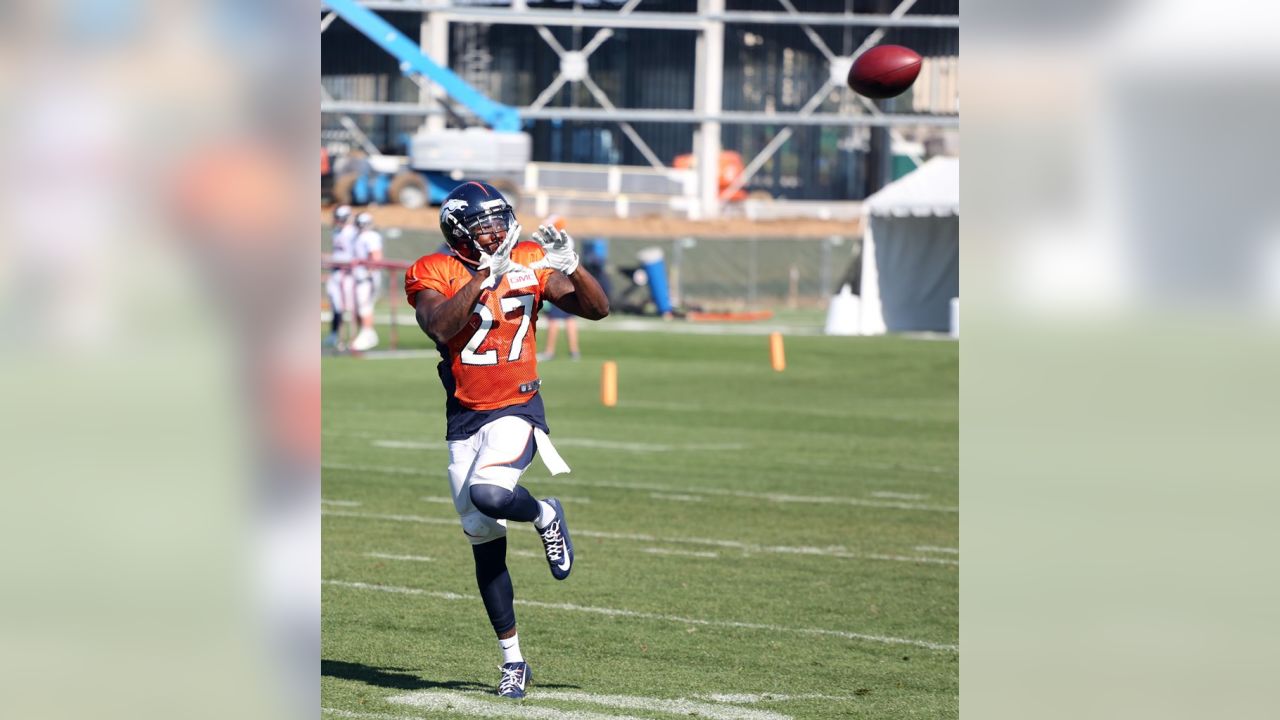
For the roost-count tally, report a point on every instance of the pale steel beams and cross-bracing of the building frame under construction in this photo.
(710, 24)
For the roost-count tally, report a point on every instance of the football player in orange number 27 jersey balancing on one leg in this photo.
(479, 303)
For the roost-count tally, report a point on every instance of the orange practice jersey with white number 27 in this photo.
(493, 361)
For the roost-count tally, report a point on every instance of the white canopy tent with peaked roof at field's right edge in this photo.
(912, 252)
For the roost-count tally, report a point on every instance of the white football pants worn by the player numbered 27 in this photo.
(499, 454)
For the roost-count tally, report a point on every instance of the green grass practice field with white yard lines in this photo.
(751, 545)
